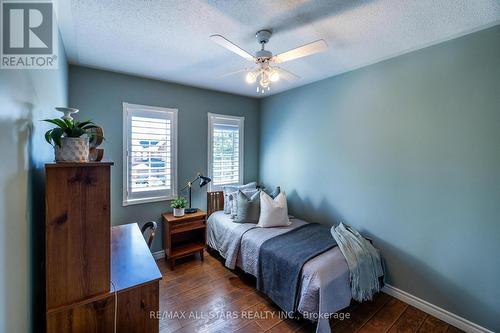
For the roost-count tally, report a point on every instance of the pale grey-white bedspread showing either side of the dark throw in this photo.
(324, 278)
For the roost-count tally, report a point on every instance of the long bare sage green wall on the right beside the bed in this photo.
(408, 152)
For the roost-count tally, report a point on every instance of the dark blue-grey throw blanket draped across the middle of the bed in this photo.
(281, 259)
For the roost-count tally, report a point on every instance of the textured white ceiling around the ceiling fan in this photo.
(168, 40)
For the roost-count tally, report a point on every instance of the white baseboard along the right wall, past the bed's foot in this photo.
(433, 310)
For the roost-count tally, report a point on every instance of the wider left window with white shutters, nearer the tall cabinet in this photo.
(150, 154)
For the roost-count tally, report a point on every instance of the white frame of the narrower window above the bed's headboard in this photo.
(231, 120)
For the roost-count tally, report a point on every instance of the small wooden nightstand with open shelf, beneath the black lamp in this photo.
(184, 236)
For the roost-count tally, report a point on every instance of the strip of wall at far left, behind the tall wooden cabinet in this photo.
(26, 96)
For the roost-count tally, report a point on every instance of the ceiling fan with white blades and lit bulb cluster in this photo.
(266, 70)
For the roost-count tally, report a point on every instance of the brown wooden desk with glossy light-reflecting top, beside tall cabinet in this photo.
(135, 278)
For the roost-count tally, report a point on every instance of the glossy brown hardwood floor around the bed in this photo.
(207, 297)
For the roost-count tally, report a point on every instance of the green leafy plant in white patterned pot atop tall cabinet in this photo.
(70, 139)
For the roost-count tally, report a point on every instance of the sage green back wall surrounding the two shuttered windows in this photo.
(99, 96)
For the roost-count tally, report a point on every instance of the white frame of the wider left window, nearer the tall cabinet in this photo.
(128, 110)
